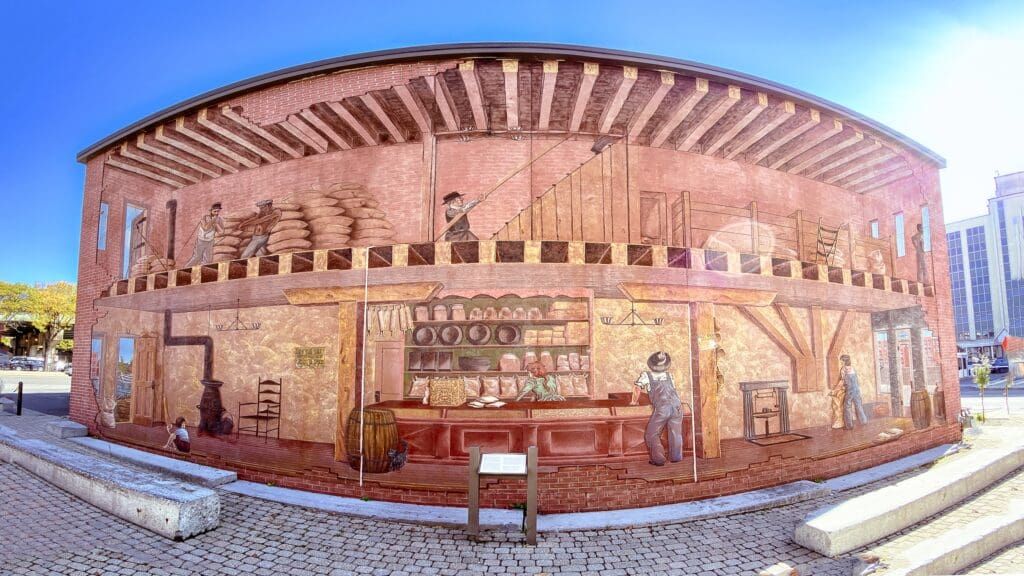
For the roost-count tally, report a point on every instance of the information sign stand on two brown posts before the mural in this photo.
(503, 466)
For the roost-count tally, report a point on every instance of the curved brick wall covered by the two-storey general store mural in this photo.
(662, 275)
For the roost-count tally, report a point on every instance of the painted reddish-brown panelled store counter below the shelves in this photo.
(574, 431)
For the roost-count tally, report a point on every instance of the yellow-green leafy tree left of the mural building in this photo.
(50, 308)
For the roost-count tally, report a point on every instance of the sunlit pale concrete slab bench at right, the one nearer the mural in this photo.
(856, 523)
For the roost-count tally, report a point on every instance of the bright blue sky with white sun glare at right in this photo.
(947, 74)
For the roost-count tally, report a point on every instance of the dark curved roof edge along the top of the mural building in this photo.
(396, 56)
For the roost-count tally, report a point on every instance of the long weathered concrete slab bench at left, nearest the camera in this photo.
(170, 509)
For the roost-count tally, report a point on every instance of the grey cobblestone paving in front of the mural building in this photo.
(58, 534)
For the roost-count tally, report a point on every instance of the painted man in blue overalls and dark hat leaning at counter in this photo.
(668, 412)
